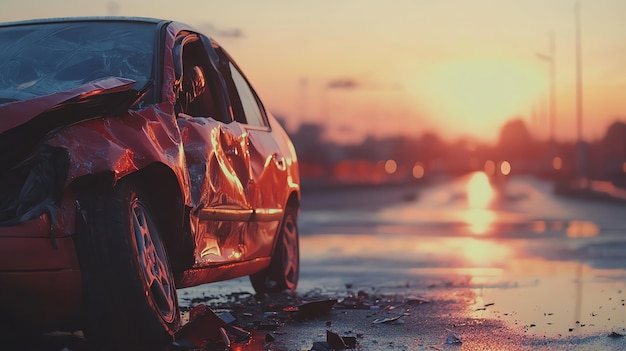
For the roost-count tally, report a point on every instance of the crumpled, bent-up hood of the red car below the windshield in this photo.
(18, 113)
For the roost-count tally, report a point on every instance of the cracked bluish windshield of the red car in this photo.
(44, 58)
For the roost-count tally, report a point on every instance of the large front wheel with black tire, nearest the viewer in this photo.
(129, 293)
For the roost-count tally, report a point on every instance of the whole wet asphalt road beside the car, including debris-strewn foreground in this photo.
(461, 264)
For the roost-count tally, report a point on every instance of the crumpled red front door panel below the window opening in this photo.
(216, 155)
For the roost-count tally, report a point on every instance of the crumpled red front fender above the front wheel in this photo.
(125, 144)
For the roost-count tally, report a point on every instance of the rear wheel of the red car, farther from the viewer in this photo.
(284, 269)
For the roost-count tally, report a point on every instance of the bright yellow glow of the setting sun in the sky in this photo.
(480, 94)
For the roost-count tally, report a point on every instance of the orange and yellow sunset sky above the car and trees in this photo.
(455, 67)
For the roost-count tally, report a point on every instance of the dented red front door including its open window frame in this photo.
(216, 155)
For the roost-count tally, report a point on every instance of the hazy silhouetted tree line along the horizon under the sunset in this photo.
(604, 159)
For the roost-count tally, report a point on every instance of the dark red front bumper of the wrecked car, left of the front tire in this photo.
(40, 284)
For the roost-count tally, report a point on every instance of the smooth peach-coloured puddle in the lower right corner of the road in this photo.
(555, 299)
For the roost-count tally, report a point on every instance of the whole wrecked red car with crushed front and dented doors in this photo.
(136, 159)
